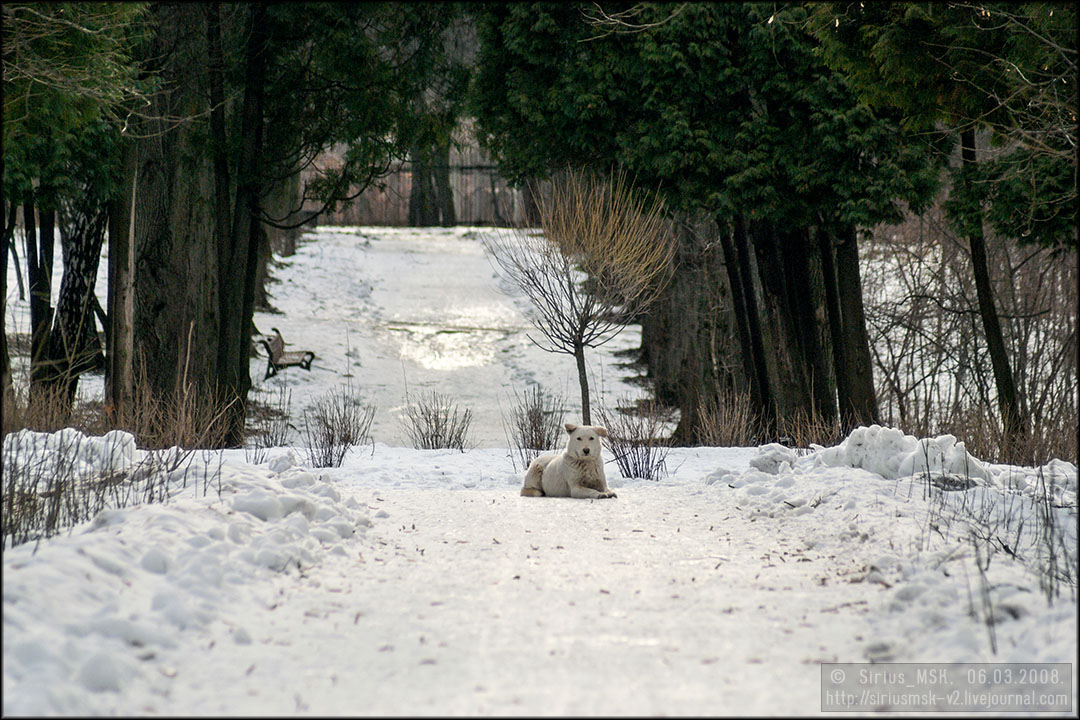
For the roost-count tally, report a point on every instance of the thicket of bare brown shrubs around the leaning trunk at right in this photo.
(930, 361)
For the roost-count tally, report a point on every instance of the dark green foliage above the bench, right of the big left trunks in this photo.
(352, 75)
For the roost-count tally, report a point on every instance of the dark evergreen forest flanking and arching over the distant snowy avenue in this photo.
(873, 207)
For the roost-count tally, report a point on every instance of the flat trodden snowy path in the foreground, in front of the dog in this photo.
(481, 602)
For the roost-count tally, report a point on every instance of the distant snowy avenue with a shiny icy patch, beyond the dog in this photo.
(397, 311)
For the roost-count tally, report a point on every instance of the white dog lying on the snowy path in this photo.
(577, 472)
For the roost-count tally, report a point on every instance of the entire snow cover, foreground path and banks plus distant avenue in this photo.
(411, 582)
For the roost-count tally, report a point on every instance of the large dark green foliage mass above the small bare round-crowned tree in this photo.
(723, 107)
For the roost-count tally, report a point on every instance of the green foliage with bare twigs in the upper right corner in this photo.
(1004, 67)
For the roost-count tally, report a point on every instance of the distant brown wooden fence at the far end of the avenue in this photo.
(481, 196)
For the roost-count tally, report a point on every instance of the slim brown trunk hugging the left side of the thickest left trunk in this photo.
(120, 343)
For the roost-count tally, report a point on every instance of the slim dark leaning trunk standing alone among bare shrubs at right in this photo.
(1014, 423)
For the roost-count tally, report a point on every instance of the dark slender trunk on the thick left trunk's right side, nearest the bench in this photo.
(236, 324)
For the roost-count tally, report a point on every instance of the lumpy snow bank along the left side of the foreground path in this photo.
(87, 615)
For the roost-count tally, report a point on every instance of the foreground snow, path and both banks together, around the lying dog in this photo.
(421, 582)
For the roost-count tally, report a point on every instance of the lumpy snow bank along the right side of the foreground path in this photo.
(868, 498)
